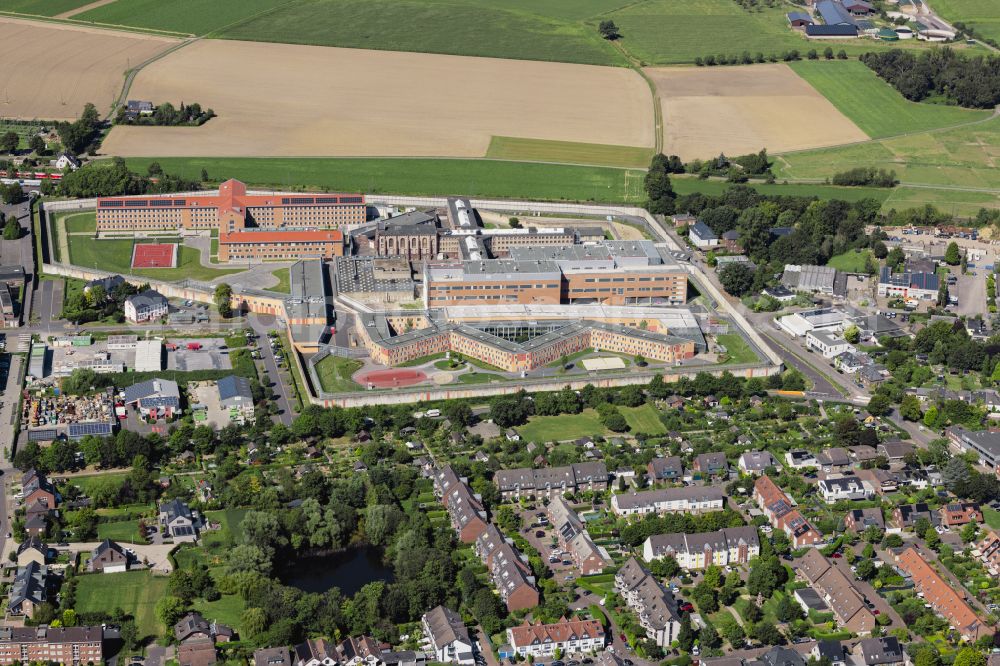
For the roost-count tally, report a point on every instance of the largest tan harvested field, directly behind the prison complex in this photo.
(287, 100)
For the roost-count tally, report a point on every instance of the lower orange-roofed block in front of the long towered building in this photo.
(280, 245)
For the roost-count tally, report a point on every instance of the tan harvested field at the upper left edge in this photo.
(52, 70)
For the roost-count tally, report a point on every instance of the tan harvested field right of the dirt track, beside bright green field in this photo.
(737, 110)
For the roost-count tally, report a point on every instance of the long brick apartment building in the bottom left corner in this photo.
(62, 645)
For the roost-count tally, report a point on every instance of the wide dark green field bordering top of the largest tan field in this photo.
(544, 30)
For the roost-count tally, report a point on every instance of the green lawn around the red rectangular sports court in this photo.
(116, 255)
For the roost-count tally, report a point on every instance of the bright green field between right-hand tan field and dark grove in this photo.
(875, 106)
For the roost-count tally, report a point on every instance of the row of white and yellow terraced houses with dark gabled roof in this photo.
(730, 546)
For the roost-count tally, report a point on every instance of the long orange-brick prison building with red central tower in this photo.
(231, 209)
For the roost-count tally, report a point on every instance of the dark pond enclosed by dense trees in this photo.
(350, 570)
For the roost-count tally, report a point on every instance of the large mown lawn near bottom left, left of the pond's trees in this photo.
(135, 592)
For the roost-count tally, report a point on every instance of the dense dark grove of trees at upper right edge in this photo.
(940, 73)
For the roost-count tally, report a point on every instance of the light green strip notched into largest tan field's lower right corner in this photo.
(539, 150)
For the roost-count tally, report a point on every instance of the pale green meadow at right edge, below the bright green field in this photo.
(961, 157)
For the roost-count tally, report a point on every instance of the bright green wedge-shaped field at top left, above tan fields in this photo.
(196, 17)
